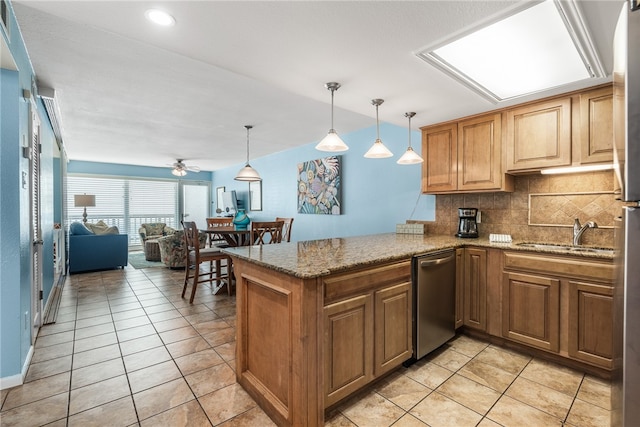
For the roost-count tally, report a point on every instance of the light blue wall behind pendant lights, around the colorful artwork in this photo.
(377, 193)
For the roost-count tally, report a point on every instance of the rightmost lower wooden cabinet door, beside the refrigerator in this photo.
(591, 323)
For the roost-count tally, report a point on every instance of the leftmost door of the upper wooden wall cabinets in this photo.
(440, 153)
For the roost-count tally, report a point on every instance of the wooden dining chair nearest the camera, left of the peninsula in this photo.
(195, 256)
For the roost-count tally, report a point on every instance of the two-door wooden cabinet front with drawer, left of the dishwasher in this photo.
(367, 327)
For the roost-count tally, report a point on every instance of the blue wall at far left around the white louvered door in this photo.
(15, 239)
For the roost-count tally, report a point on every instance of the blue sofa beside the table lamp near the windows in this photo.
(90, 251)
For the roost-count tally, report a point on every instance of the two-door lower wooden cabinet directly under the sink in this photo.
(560, 304)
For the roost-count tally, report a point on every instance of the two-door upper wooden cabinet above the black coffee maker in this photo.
(464, 156)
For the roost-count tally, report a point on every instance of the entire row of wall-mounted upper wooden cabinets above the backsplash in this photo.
(480, 153)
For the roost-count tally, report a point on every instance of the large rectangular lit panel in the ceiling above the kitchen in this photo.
(542, 47)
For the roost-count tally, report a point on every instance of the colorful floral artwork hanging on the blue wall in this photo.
(319, 186)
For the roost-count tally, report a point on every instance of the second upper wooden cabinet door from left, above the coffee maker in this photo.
(480, 153)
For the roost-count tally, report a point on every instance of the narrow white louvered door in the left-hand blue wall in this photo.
(36, 229)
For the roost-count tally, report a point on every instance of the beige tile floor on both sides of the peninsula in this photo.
(127, 350)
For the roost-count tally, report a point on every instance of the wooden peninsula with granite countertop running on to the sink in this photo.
(318, 320)
